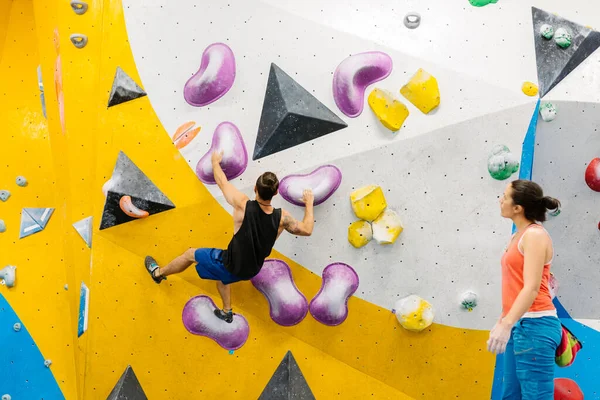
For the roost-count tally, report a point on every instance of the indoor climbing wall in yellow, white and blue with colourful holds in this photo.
(137, 94)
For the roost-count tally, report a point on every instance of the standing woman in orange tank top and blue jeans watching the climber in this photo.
(529, 329)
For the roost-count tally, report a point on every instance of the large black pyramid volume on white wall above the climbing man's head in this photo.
(291, 116)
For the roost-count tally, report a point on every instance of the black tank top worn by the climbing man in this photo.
(253, 242)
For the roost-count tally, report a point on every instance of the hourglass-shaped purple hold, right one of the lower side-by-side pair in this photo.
(330, 305)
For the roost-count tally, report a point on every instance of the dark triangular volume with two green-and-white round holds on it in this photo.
(553, 62)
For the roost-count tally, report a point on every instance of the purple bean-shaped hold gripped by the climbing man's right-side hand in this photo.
(323, 181)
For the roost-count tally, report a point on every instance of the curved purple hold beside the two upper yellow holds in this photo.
(352, 77)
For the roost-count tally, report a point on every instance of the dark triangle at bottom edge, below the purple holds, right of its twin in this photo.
(287, 383)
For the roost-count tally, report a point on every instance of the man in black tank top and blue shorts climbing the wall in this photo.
(256, 226)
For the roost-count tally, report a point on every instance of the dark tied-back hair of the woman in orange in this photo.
(530, 196)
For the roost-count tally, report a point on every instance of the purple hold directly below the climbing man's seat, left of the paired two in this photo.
(287, 304)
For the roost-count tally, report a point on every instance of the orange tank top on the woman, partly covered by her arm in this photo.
(513, 262)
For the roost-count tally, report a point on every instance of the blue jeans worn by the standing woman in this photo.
(529, 359)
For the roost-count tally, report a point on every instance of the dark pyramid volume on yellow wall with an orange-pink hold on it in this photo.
(128, 180)
